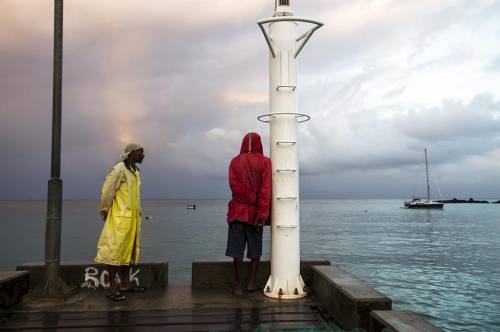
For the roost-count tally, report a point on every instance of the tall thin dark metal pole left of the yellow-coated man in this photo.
(52, 284)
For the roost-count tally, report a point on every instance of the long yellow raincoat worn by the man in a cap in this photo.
(120, 199)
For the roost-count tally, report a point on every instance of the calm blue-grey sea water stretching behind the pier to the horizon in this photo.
(444, 264)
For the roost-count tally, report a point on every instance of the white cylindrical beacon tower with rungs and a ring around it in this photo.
(285, 44)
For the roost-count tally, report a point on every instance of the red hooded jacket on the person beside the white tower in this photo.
(250, 182)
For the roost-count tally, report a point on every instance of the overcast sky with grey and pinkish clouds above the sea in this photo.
(382, 80)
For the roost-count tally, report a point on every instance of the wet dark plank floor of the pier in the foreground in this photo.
(177, 308)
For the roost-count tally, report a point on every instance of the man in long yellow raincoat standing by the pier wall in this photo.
(120, 208)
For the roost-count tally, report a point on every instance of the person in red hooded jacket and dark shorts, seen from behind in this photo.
(248, 211)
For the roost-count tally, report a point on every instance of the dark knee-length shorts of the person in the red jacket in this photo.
(241, 234)
